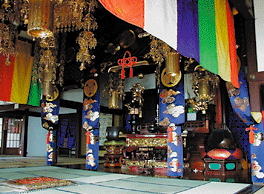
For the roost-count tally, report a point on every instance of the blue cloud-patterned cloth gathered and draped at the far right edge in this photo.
(239, 99)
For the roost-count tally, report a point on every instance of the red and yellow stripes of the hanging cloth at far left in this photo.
(15, 76)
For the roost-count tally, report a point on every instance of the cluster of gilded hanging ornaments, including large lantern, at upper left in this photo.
(44, 20)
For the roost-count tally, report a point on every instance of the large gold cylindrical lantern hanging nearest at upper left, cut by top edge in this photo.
(40, 23)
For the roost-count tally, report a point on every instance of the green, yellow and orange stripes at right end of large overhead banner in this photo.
(217, 39)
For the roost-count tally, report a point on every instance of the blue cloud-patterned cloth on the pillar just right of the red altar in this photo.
(171, 115)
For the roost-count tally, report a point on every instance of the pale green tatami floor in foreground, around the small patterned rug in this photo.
(99, 183)
